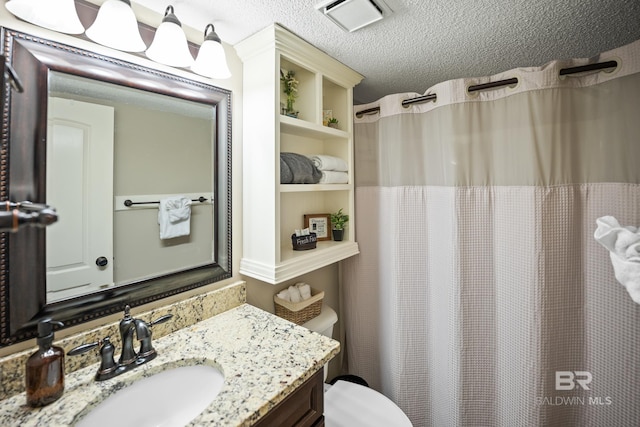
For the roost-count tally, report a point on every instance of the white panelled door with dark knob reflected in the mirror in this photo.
(80, 185)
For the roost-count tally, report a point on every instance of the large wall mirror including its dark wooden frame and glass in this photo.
(110, 145)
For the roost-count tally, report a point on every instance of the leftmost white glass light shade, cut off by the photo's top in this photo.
(57, 15)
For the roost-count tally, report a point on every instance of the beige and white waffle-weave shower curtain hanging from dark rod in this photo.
(480, 297)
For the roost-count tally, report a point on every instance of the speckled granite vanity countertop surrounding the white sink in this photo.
(263, 358)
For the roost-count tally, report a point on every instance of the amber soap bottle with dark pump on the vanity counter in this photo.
(45, 368)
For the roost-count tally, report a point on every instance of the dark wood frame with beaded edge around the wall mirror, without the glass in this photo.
(23, 172)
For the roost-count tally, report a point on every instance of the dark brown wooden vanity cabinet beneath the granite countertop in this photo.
(302, 408)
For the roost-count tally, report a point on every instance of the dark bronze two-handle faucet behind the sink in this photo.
(129, 358)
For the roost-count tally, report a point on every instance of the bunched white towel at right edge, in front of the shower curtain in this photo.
(624, 250)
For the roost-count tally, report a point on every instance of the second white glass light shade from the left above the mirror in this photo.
(116, 26)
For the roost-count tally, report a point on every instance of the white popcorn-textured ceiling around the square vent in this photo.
(424, 42)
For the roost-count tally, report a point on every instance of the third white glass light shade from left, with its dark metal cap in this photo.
(169, 46)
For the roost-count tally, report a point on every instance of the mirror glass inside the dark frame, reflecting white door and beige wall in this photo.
(158, 147)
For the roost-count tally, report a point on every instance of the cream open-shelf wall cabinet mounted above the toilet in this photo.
(272, 211)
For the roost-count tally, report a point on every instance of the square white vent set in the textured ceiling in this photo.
(351, 15)
